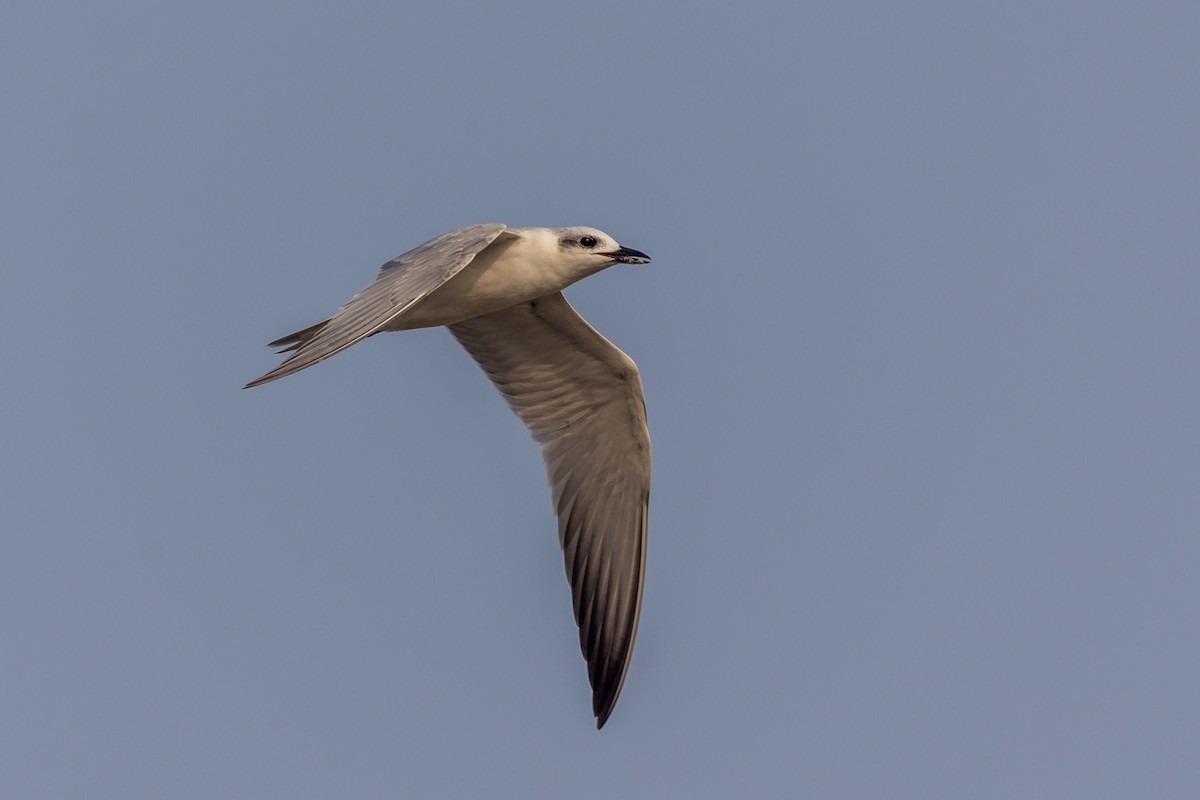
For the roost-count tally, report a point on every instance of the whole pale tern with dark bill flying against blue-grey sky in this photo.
(499, 291)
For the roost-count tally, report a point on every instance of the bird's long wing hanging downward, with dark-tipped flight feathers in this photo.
(581, 399)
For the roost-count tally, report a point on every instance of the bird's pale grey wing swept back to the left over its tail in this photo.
(401, 282)
